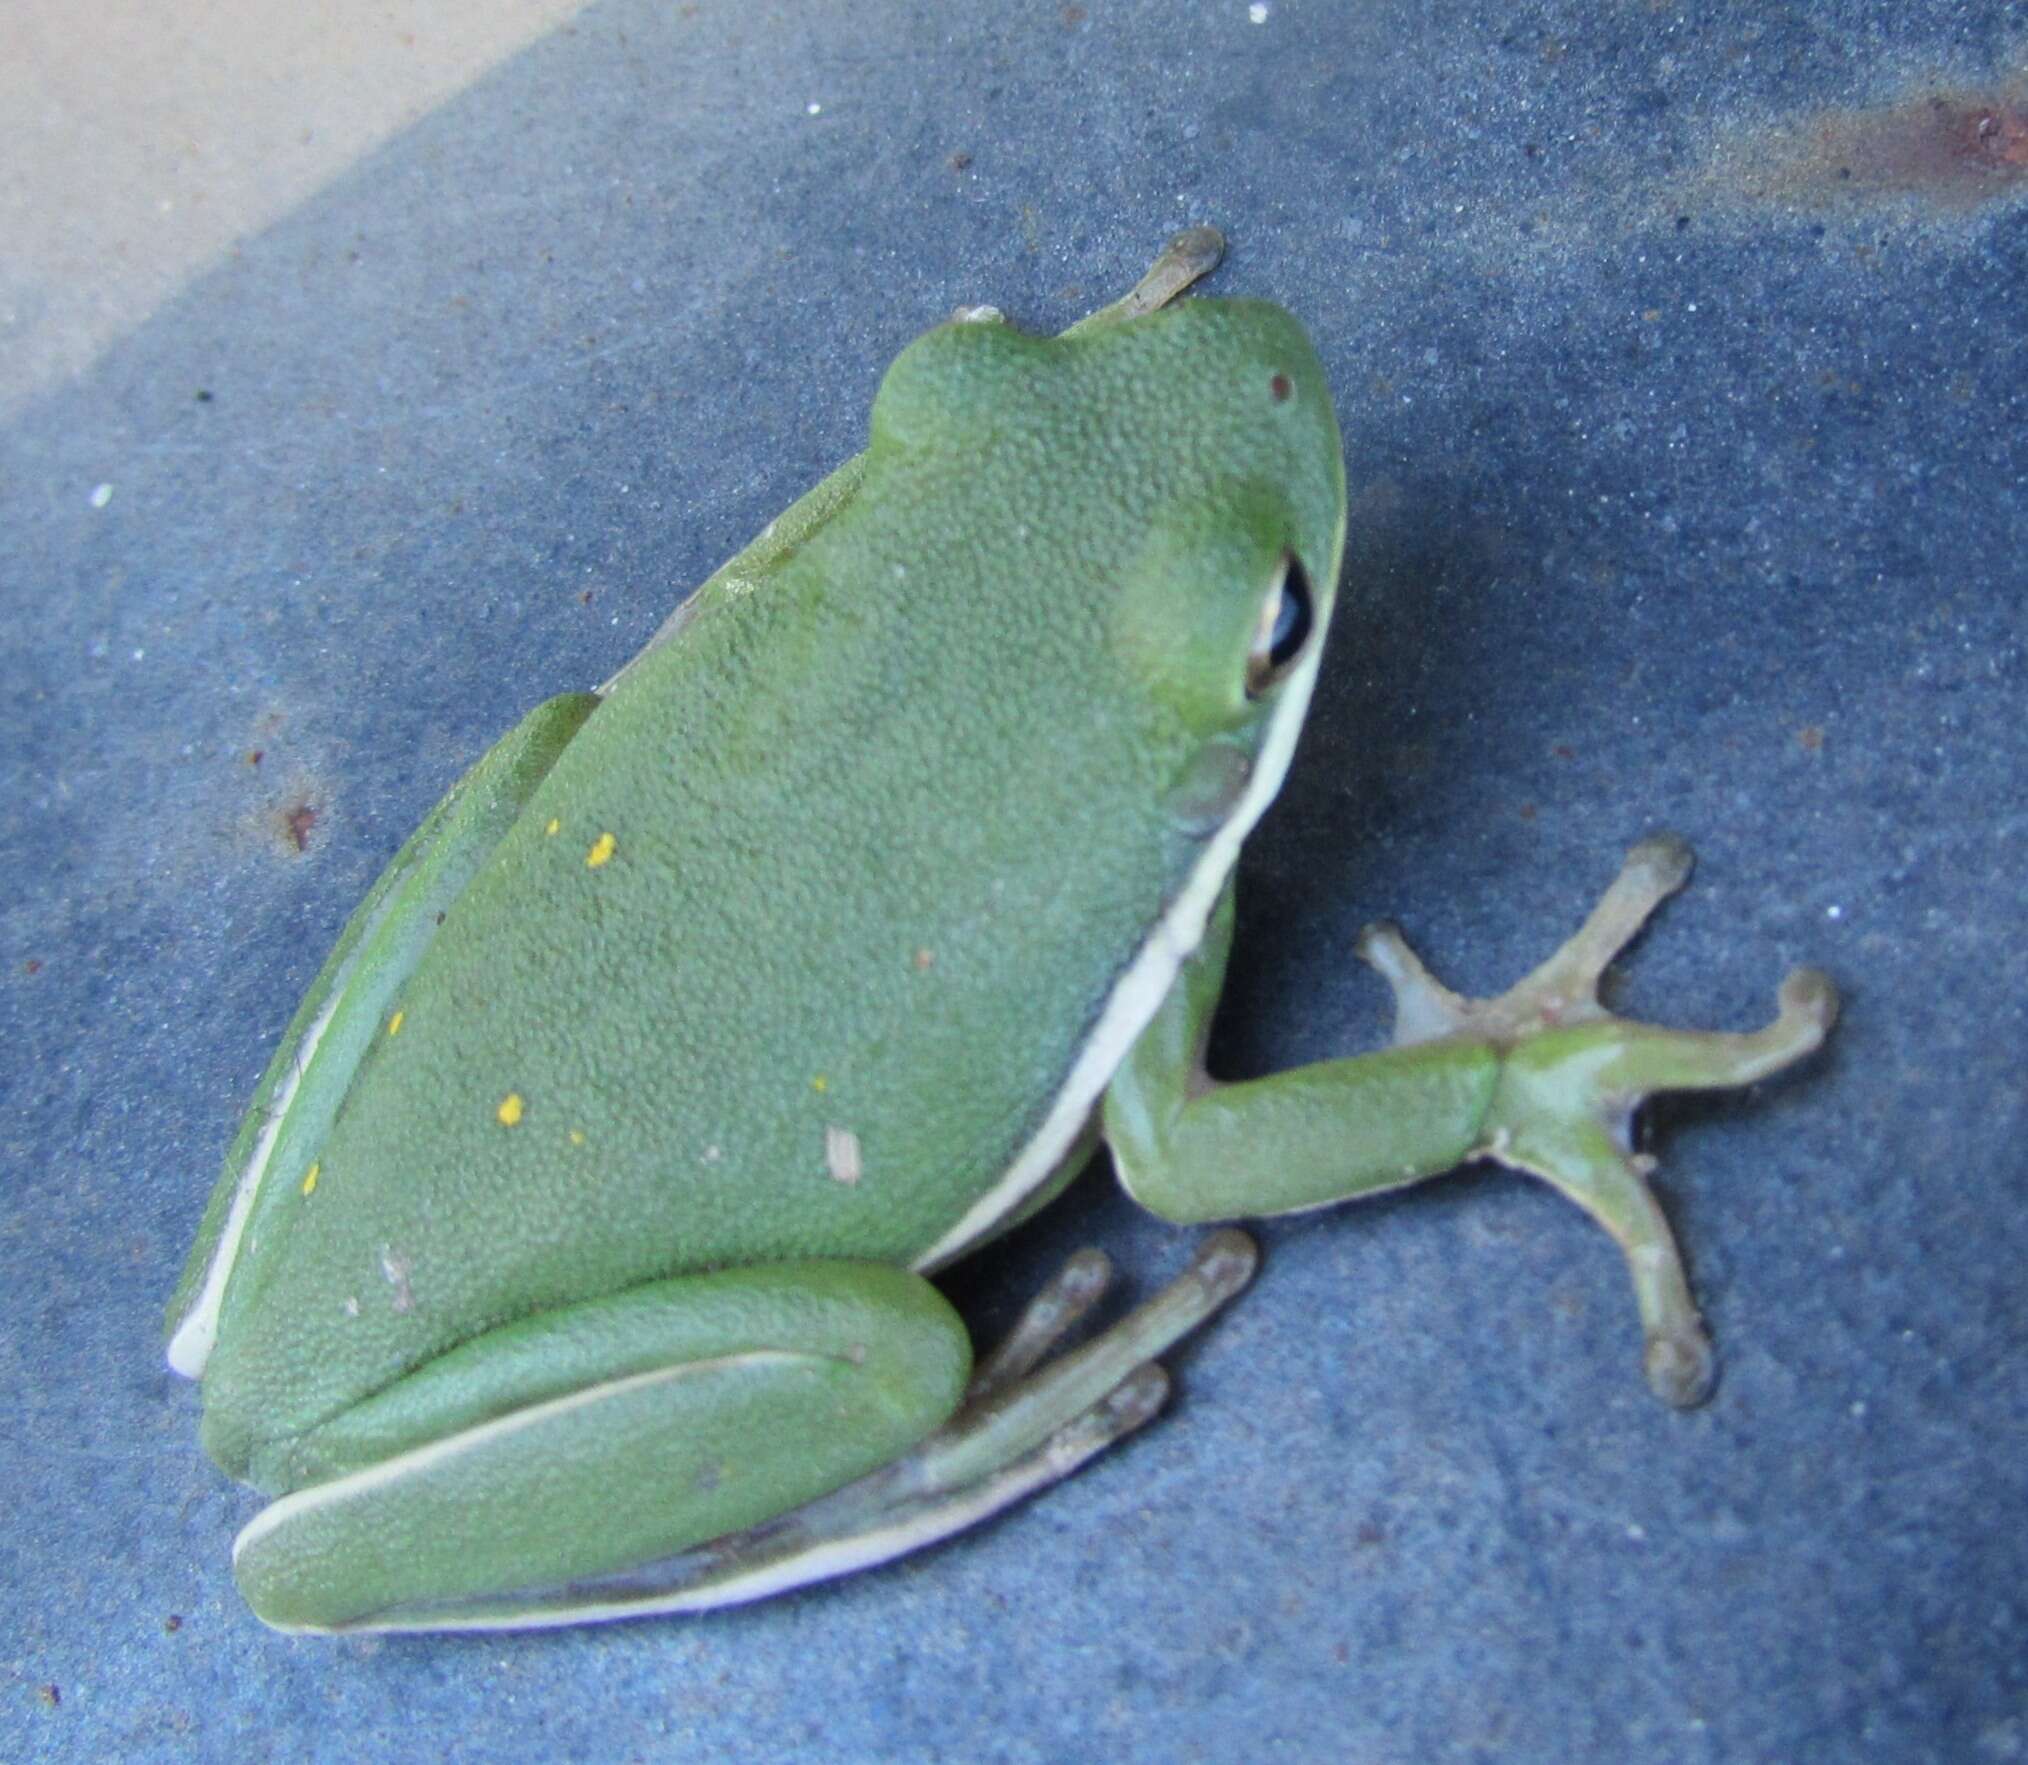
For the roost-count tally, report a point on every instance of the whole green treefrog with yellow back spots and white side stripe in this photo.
(573, 1257)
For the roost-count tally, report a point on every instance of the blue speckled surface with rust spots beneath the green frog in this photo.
(1686, 431)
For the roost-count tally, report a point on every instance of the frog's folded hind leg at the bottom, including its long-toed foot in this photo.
(701, 1441)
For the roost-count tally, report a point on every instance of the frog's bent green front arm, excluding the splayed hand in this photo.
(1191, 1149)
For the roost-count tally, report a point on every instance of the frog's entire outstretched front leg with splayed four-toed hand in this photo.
(1542, 1078)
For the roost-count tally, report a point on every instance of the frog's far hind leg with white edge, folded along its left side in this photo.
(348, 1007)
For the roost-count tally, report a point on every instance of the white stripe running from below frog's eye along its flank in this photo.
(1141, 991)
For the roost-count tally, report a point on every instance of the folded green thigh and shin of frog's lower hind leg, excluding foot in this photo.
(605, 1435)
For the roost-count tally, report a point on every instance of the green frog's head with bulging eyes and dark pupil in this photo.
(1155, 520)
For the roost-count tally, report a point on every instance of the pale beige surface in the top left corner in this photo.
(145, 143)
